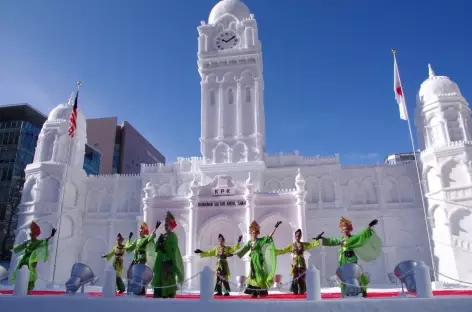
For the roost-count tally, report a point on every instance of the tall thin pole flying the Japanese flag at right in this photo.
(394, 52)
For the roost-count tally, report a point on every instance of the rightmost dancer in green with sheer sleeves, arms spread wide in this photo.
(354, 247)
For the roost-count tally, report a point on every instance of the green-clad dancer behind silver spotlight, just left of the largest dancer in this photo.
(142, 248)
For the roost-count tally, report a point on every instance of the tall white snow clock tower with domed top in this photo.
(230, 66)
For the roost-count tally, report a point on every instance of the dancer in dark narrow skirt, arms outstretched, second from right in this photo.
(297, 249)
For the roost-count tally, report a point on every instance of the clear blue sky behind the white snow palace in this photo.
(327, 66)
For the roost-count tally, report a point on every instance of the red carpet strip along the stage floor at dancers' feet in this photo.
(379, 293)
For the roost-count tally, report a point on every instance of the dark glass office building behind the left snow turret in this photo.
(20, 125)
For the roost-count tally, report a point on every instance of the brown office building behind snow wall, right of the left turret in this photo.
(122, 147)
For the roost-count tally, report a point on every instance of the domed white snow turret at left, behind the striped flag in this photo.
(54, 191)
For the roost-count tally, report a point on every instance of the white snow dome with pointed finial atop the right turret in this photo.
(437, 86)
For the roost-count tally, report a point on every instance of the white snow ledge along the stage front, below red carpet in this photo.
(134, 304)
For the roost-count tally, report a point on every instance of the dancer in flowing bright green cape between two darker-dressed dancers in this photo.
(263, 261)
